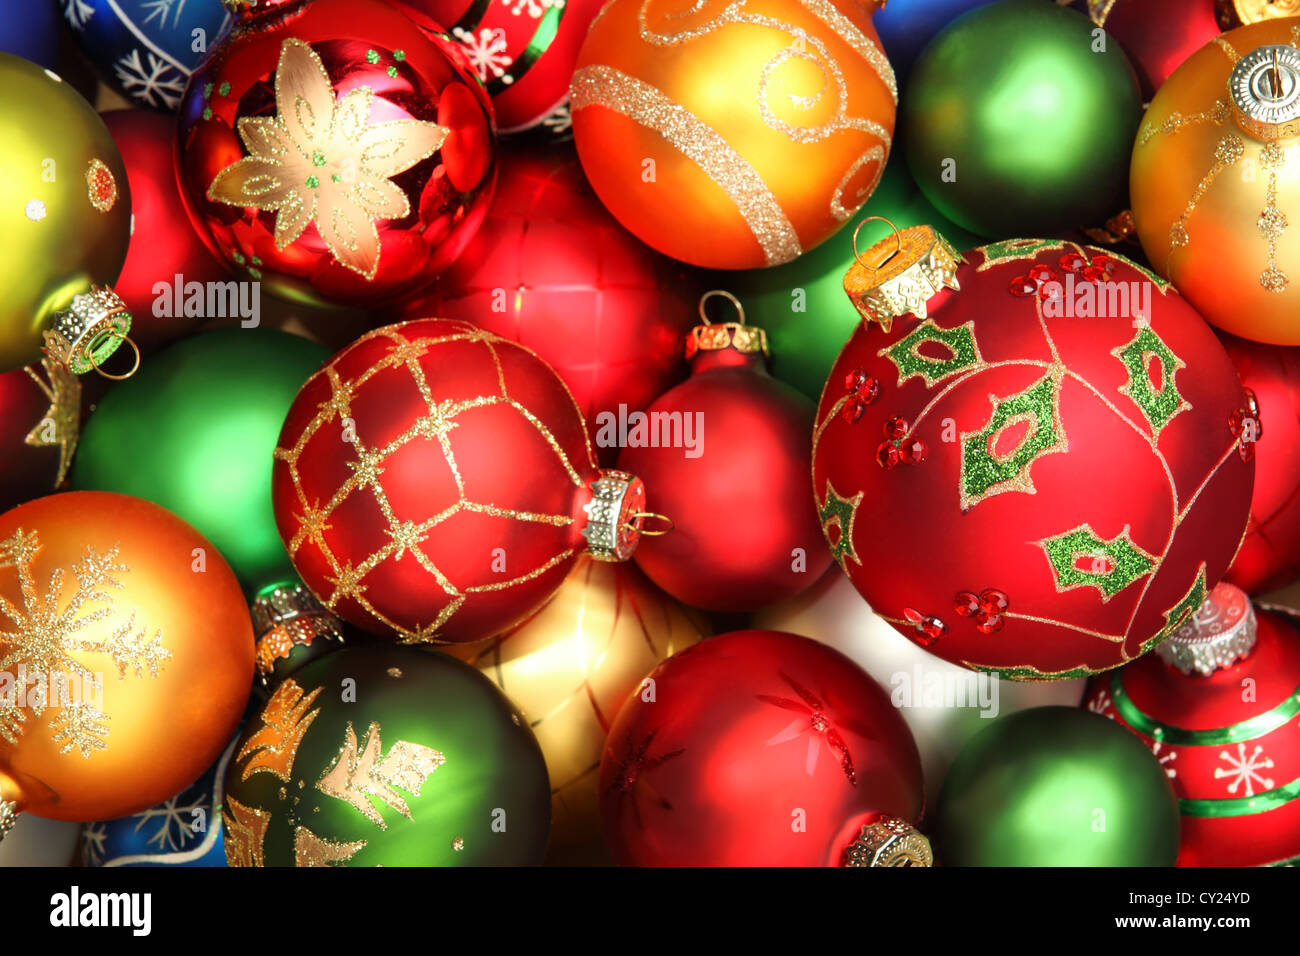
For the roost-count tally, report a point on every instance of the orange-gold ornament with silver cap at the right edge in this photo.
(1216, 181)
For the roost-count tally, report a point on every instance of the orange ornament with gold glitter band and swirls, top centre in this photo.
(734, 135)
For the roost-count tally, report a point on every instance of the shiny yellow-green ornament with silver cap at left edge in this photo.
(66, 217)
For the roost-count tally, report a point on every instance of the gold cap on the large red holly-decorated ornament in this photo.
(900, 274)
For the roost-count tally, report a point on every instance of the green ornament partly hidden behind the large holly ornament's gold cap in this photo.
(803, 306)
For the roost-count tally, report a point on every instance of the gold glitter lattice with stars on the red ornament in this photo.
(345, 581)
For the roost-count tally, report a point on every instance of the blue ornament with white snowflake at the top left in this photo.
(146, 50)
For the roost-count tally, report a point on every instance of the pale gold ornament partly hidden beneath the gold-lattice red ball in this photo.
(570, 668)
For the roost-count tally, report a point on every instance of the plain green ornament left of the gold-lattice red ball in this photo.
(194, 431)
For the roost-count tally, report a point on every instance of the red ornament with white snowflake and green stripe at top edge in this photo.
(523, 51)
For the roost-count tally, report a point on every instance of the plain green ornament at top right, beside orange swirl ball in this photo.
(1019, 120)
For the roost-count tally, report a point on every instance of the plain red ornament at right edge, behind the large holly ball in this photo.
(1269, 557)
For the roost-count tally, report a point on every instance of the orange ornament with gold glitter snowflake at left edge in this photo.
(125, 656)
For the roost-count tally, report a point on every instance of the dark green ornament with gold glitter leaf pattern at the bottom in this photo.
(387, 756)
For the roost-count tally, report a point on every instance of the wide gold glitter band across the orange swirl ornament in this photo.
(605, 86)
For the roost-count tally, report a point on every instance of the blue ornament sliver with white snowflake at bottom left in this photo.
(181, 832)
